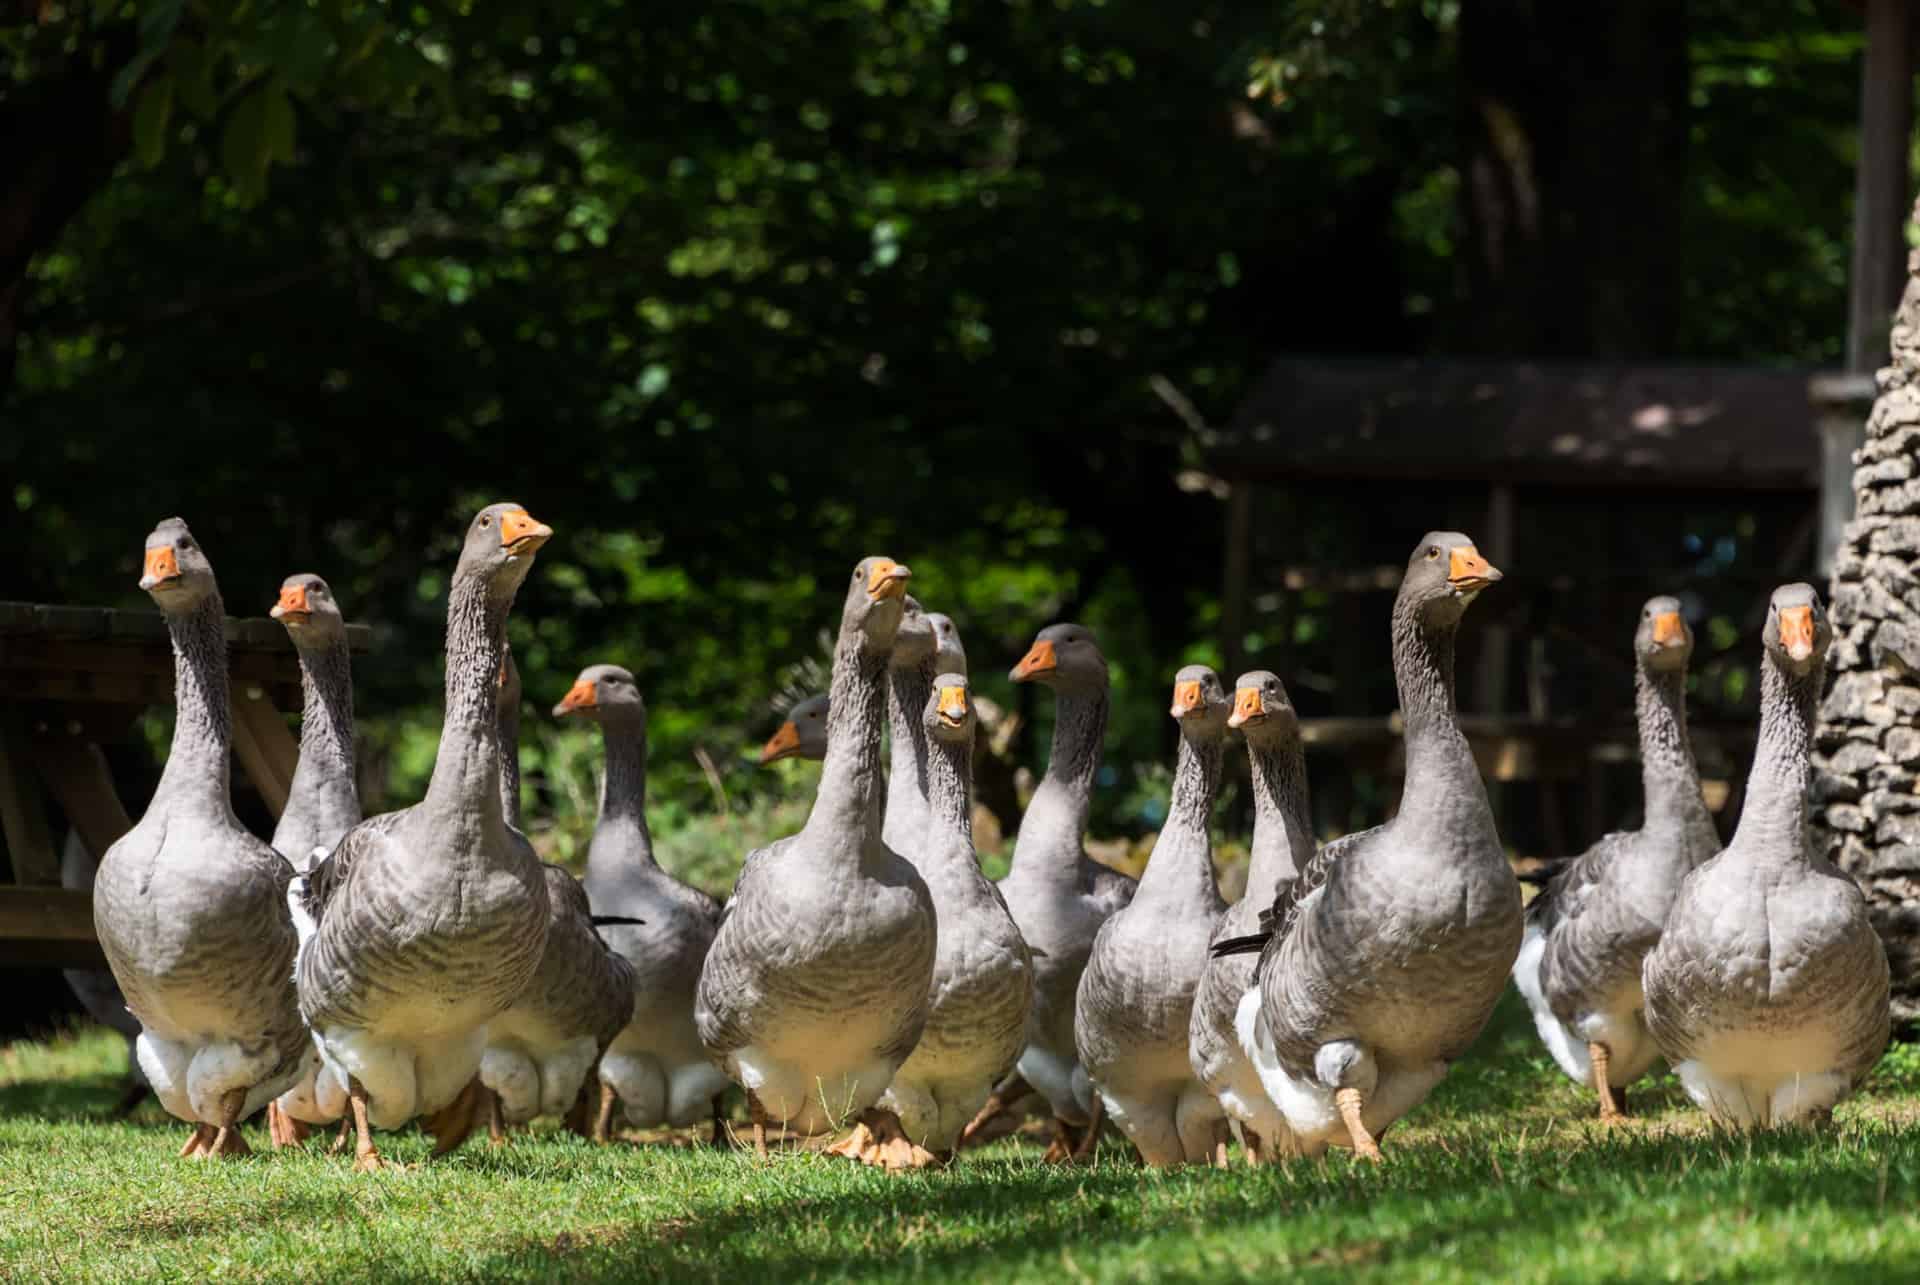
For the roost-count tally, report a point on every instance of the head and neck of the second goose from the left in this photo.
(324, 800)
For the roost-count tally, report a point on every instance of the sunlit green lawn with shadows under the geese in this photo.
(1499, 1176)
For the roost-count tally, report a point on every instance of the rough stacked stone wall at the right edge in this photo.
(1867, 764)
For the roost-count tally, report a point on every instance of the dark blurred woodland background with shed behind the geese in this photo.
(1184, 322)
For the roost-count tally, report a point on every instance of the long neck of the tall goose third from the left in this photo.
(468, 767)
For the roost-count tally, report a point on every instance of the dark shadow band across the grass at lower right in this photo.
(1474, 1201)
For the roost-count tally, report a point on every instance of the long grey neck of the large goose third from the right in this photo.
(1443, 781)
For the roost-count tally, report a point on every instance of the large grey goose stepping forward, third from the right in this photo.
(1385, 959)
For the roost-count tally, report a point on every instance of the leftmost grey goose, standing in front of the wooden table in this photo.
(189, 906)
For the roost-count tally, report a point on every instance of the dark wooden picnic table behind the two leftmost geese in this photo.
(74, 679)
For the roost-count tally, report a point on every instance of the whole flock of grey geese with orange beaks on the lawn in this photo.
(867, 977)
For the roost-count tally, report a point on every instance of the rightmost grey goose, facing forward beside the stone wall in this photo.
(1767, 990)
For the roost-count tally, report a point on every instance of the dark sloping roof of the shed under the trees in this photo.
(1525, 422)
